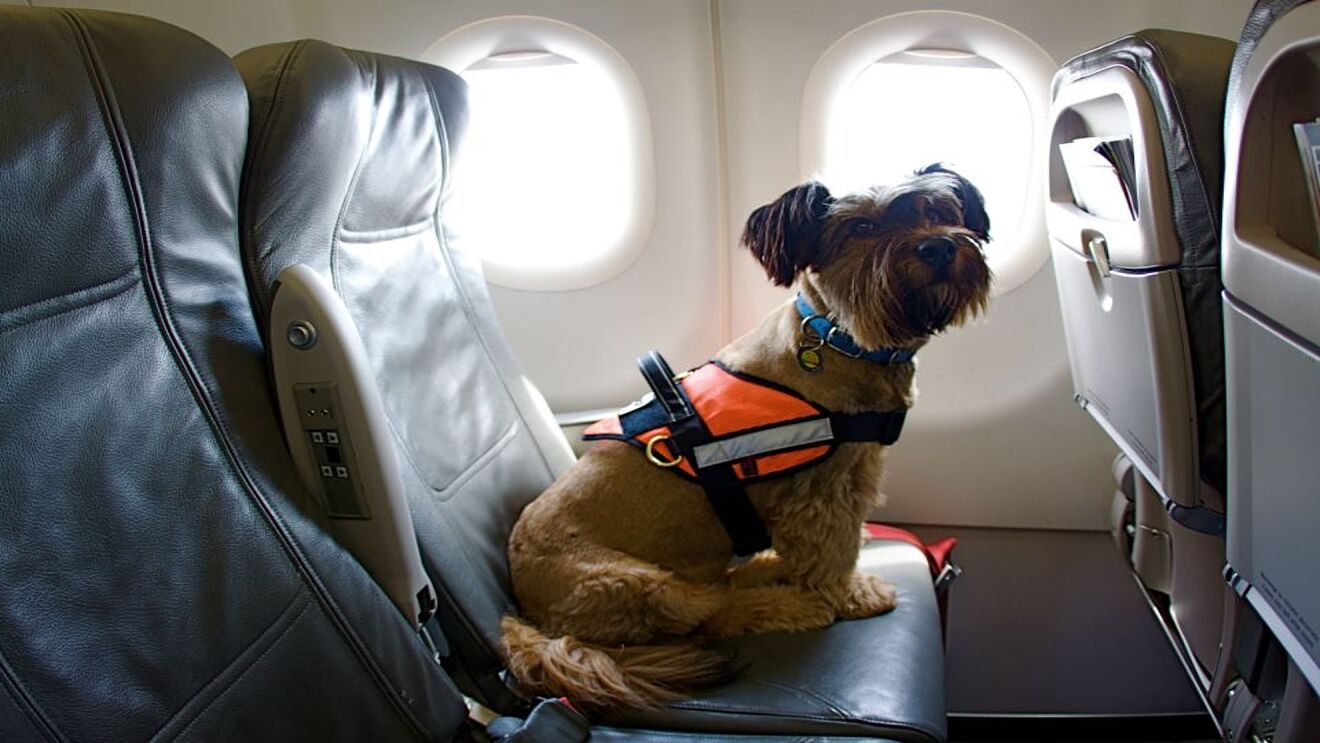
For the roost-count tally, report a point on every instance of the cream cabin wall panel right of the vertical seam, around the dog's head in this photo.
(996, 439)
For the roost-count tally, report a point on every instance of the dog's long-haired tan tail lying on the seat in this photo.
(599, 678)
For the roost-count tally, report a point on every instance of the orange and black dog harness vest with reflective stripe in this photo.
(724, 430)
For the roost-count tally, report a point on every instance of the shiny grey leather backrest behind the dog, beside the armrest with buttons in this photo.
(348, 171)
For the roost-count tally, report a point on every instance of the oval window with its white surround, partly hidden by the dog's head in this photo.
(939, 86)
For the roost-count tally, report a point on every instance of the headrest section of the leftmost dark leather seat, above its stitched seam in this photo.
(129, 162)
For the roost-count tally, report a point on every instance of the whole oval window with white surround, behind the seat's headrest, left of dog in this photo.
(554, 181)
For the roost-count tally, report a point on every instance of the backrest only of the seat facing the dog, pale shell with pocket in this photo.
(1145, 332)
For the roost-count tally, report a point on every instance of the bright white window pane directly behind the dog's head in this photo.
(902, 114)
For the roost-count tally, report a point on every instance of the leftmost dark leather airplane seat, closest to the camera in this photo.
(162, 575)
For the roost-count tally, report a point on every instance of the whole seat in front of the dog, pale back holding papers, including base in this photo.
(1136, 162)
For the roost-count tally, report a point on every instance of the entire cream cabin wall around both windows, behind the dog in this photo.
(996, 439)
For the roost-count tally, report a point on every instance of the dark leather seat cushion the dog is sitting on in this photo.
(880, 678)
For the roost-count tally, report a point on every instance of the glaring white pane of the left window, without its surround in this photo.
(544, 176)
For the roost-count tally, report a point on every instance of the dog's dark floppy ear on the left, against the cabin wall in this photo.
(785, 236)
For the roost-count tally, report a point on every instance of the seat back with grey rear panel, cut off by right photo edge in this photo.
(1272, 315)
